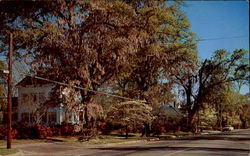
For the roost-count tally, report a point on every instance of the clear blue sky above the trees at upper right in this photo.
(224, 23)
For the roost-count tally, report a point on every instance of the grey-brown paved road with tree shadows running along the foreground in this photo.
(235, 143)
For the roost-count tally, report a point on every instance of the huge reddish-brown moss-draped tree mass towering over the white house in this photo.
(99, 41)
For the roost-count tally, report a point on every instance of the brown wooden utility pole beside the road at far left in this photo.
(10, 92)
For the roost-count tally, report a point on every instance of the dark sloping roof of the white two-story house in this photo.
(28, 80)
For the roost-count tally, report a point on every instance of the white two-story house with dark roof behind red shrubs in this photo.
(32, 93)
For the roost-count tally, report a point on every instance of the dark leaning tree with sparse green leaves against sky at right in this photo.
(202, 85)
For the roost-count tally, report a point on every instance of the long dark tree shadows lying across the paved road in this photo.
(161, 147)
